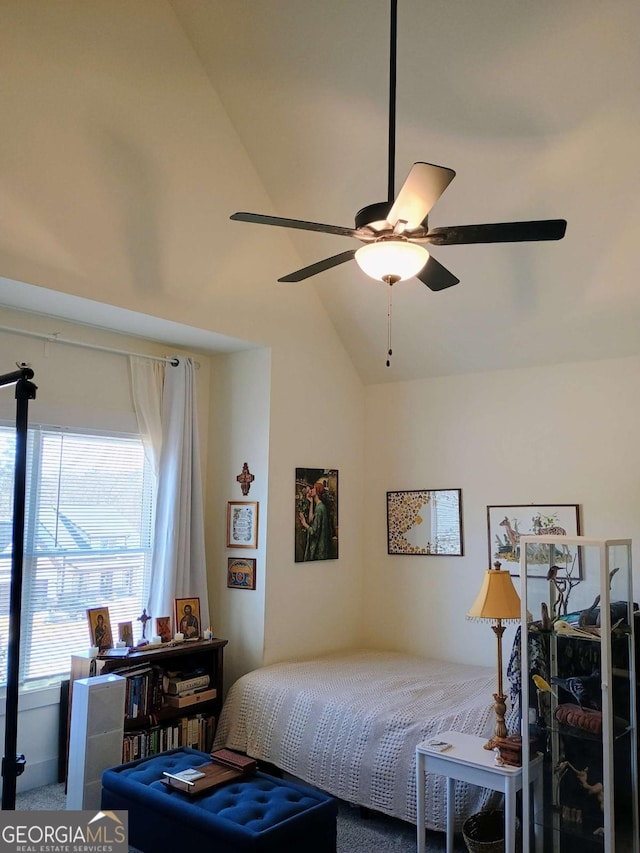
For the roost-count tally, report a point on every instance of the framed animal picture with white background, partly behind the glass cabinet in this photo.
(508, 522)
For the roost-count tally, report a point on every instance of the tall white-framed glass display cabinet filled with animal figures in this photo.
(577, 618)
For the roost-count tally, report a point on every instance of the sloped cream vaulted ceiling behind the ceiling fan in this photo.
(534, 105)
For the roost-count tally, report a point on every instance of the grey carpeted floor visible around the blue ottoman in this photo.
(373, 834)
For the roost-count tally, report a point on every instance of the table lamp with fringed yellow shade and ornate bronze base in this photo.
(497, 602)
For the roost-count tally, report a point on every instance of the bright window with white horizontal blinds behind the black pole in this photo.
(88, 535)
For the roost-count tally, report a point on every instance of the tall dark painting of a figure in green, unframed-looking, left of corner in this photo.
(316, 514)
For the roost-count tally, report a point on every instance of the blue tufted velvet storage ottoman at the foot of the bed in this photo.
(259, 813)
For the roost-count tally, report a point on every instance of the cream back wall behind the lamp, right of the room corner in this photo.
(564, 434)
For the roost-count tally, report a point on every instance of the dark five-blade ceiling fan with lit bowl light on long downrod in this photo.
(393, 232)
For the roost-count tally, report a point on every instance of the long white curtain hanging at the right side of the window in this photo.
(167, 418)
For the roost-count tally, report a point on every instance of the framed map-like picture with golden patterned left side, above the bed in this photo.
(425, 522)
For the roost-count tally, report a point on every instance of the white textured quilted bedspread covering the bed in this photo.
(349, 723)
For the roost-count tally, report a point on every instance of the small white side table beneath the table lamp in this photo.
(468, 761)
